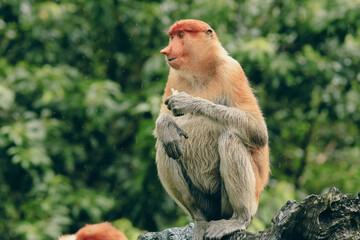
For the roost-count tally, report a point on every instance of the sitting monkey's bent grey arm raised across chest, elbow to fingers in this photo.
(249, 127)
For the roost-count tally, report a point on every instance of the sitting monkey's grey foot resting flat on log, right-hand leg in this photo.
(221, 228)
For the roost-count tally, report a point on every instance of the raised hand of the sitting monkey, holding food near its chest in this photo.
(181, 103)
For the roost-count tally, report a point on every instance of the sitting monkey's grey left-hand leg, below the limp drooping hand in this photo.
(172, 178)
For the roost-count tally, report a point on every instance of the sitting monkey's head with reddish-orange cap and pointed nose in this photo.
(190, 43)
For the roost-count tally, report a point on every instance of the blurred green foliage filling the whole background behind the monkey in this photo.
(81, 85)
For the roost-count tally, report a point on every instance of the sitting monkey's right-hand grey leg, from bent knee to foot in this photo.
(239, 181)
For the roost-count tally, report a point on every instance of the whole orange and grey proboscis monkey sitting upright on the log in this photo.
(212, 141)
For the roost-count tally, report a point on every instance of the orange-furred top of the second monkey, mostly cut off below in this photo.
(100, 231)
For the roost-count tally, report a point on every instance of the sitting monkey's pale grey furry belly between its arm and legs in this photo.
(201, 158)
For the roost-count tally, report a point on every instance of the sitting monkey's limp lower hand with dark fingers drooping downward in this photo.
(169, 133)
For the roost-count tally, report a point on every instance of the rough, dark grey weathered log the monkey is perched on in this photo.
(332, 215)
